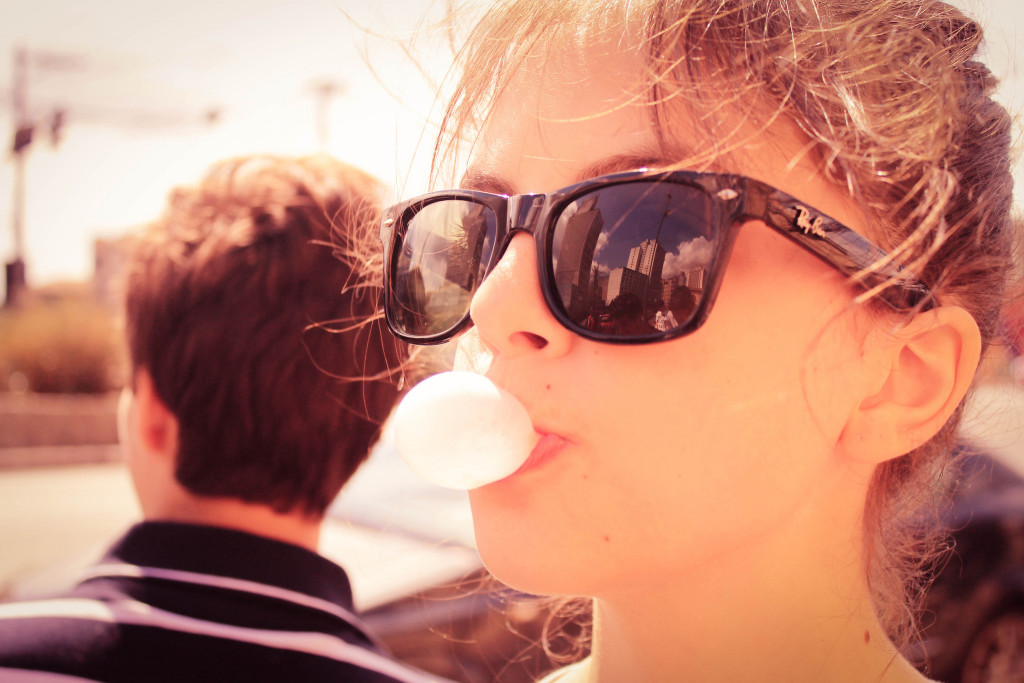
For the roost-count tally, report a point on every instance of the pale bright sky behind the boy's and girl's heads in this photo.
(139, 79)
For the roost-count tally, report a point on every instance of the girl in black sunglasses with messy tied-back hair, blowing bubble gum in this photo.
(819, 195)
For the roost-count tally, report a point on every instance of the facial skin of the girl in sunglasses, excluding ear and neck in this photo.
(656, 458)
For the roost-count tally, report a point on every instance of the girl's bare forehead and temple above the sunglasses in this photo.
(571, 114)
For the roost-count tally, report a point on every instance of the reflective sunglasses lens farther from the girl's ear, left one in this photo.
(444, 247)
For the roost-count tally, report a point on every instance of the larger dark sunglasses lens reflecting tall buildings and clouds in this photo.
(631, 261)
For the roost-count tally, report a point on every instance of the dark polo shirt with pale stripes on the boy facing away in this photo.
(183, 603)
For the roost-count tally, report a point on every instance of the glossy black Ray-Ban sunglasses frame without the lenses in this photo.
(740, 200)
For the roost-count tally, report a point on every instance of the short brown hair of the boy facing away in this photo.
(245, 305)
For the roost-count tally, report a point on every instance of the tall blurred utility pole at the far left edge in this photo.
(15, 273)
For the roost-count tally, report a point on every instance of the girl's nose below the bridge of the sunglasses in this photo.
(509, 311)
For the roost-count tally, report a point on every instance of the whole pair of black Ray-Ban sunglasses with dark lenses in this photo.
(627, 259)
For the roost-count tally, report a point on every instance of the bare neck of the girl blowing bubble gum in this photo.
(790, 606)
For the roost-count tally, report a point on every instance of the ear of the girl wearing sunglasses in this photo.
(915, 378)
